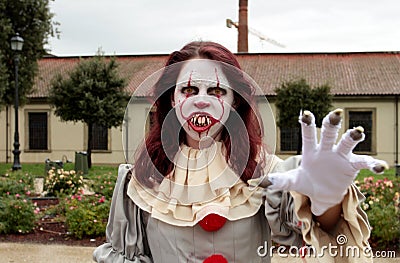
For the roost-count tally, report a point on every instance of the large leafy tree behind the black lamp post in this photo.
(32, 19)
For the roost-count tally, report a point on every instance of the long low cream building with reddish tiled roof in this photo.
(365, 85)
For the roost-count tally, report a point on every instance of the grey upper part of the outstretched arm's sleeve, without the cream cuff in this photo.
(280, 212)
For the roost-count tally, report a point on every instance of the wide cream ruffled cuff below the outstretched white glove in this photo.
(351, 234)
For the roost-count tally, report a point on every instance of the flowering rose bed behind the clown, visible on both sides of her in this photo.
(72, 216)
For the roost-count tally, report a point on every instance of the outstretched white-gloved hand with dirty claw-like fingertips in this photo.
(326, 170)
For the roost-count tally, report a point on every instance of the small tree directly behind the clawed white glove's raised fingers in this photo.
(294, 96)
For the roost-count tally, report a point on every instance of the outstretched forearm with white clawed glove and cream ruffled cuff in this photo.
(326, 200)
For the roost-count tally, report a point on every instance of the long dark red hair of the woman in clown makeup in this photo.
(153, 161)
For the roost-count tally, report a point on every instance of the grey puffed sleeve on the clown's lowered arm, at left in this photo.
(125, 233)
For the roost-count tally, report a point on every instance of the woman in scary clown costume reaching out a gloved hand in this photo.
(204, 187)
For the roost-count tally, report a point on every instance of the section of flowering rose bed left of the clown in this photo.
(66, 212)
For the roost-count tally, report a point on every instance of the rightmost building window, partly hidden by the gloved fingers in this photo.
(364, 118)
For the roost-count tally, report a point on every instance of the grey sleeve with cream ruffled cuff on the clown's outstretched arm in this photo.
(289, 213)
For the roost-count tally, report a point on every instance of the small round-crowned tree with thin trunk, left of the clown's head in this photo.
(92, 93)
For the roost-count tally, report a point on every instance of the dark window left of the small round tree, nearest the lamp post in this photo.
(38, 130)
